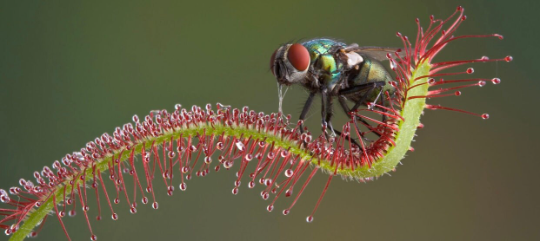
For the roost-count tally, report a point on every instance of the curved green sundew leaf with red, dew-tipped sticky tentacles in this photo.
(172, 147)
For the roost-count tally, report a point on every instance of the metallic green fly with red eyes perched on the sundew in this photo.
(334, 69)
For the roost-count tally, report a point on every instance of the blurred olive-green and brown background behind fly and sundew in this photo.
(70, 71)
